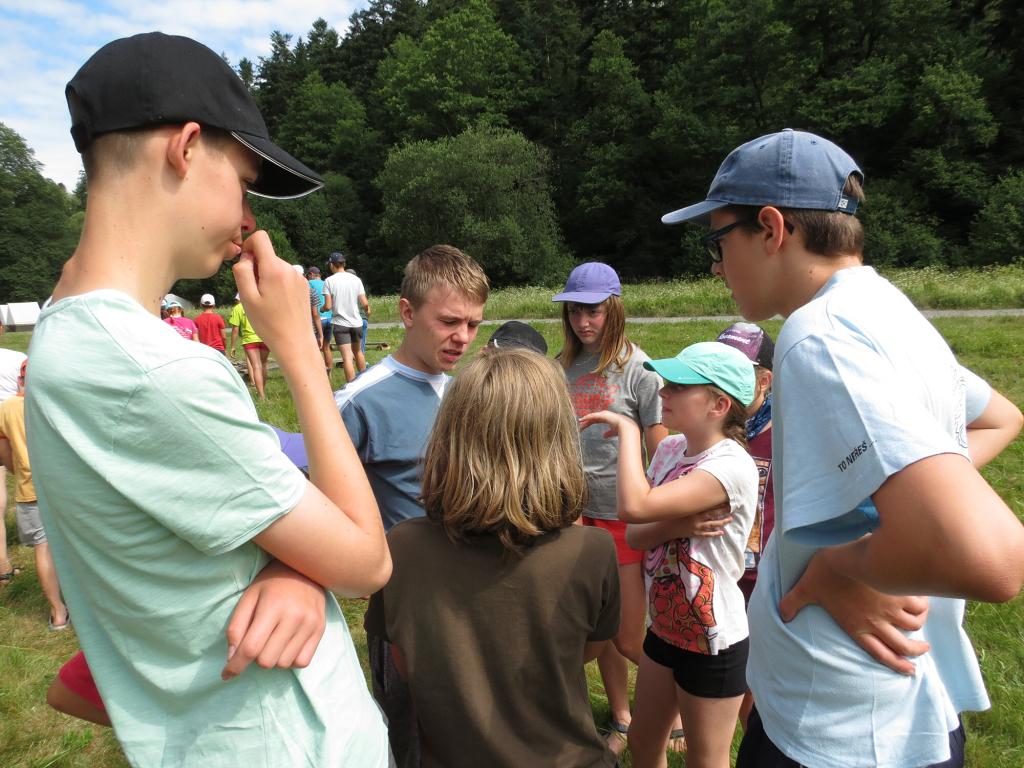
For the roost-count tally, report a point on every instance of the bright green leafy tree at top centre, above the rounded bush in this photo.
(464, 72)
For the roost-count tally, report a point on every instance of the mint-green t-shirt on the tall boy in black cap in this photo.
(154, 476)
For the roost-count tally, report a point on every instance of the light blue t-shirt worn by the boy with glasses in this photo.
(864, 388)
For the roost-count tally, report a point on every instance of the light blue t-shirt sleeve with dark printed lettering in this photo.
(849, 423)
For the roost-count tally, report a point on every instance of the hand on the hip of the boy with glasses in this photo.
(875, 621)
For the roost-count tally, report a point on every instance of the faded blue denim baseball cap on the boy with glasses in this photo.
(789, 169)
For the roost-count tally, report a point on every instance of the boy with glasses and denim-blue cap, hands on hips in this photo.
(874, 425)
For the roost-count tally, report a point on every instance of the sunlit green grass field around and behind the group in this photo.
(34, 737)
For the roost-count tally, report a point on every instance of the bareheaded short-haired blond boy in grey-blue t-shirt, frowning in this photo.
(390, 412)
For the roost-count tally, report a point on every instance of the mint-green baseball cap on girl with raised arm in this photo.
(710, 363)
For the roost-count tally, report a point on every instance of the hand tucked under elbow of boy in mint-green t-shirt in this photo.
(279, 622)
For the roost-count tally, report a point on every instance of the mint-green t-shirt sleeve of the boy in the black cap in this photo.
(190, 452)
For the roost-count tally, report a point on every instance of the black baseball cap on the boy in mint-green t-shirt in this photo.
(157, 79)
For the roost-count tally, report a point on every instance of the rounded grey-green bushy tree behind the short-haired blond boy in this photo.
(486, 192)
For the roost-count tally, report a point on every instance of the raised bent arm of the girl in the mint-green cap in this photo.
(638, 502)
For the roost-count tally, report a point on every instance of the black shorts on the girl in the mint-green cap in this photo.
(720, 676)
